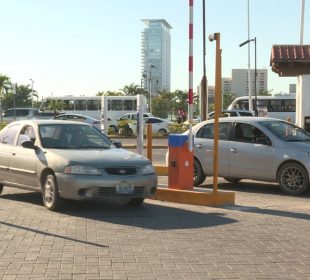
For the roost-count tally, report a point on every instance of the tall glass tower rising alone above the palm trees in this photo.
(156, 56)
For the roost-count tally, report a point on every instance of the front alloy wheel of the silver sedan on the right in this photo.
(293, 178)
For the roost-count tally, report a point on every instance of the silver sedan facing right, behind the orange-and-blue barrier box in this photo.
(258, 148)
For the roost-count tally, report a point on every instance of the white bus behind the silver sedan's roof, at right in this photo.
(275, 106)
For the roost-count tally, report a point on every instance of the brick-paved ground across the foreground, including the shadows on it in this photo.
(264, 236)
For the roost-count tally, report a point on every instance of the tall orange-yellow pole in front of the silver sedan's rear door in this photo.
(217, 111)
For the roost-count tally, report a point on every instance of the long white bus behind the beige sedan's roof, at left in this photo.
(91, 105)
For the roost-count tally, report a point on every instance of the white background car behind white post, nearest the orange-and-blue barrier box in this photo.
(159, 126)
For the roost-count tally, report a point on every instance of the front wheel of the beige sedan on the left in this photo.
(50, 195)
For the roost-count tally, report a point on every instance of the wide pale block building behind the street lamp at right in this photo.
(240, 84)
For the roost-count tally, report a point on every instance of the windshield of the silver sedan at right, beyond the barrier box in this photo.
(286, 131)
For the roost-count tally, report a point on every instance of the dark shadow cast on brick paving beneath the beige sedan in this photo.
(148, 216)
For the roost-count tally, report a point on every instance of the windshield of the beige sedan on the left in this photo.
(72, 136)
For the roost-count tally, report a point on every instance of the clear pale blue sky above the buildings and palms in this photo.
(80, 47)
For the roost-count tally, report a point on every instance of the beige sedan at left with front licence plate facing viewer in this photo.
(71, 160)
